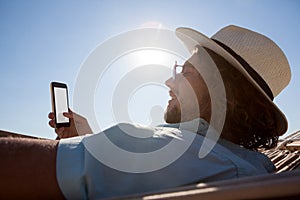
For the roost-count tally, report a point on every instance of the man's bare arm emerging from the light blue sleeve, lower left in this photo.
(28, 169)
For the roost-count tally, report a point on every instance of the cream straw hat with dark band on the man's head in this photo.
(257, 57)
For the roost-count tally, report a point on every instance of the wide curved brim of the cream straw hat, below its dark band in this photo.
(191, 38)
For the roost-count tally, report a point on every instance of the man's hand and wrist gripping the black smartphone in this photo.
(78, 125)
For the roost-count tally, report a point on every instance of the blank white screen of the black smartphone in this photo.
(61, 104)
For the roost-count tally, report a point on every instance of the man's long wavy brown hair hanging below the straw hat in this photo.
(250, 120)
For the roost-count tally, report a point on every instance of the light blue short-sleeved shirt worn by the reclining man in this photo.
(129, 159)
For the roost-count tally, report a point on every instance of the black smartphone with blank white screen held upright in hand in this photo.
(60, 103)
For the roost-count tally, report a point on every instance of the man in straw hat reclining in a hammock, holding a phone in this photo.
(253, 70)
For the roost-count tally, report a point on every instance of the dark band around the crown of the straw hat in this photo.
(258, 79)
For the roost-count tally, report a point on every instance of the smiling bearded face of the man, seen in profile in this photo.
(188, 94)
